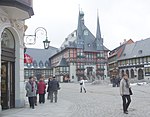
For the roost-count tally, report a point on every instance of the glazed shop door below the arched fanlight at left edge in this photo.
(7, 85)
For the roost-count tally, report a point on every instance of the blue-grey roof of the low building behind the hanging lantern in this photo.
(41, 55)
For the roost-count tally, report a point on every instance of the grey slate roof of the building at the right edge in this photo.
(138, 49)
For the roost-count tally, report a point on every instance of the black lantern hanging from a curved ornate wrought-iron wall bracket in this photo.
(31, 39)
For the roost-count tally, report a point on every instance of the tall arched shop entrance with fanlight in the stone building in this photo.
(7, 70)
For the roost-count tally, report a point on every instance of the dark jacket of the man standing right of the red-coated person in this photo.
(53, 85)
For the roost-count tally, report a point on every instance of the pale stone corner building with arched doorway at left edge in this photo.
(12, 26)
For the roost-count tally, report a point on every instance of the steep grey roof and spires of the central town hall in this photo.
(89, 41)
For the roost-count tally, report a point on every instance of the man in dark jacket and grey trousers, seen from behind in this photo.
(53, 89)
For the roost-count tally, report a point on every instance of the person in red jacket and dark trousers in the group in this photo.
(41, 90)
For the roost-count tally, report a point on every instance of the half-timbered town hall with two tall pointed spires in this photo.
(81, 55)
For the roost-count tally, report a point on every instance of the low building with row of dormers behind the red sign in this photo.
(39, 64)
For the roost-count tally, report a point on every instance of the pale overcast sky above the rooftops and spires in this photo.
(119, 19)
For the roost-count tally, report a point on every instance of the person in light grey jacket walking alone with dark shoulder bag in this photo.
(124, 92)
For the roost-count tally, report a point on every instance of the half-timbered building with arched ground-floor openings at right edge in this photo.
(135, 60)
